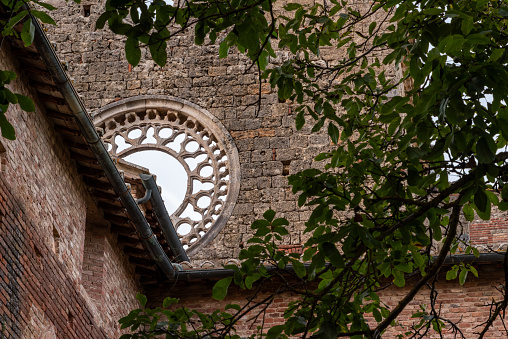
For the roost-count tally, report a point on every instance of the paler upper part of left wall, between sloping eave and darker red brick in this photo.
(44, 178)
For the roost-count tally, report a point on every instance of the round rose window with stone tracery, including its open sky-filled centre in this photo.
(191, 153)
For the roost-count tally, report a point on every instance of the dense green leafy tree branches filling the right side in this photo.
(412, 153)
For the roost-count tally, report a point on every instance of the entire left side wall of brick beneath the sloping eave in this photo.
(44, 207)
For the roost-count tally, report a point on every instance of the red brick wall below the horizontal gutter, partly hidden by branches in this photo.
(468, 305)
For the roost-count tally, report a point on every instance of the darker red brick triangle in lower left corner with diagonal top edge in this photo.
(37, 293)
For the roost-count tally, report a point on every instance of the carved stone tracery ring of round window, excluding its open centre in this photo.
(197, 124)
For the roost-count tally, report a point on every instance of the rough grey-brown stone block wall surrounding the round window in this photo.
(269, 147)
